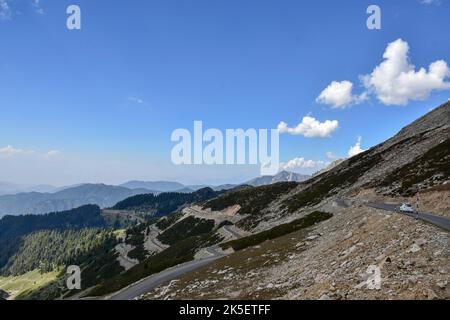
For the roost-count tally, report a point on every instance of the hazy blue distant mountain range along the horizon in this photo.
(19, 200)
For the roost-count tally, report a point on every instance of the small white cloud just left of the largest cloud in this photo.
(340, 95)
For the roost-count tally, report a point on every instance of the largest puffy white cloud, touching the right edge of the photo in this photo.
(395, 81)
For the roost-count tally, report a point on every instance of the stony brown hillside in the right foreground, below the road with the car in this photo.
(360, 253)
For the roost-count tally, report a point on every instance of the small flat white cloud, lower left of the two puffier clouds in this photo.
(311, 128)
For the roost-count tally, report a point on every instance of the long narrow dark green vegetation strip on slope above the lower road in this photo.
(278, 231)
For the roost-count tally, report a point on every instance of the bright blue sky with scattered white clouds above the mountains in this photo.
(99, 104)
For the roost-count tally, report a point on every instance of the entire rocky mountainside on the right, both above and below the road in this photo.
(359, 253)
